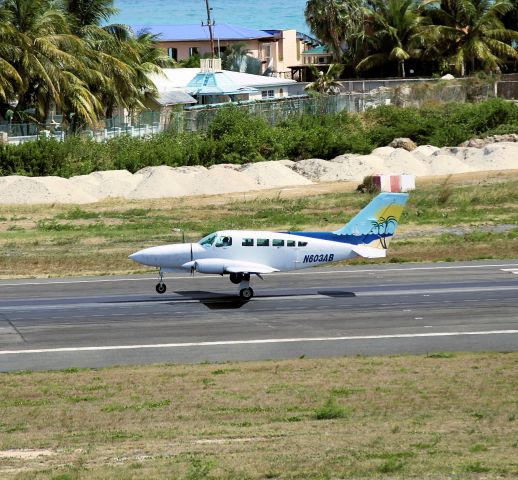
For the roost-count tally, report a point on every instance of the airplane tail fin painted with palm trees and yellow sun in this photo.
(376, 224)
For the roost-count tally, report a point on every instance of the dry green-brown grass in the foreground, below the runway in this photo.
(436, 416)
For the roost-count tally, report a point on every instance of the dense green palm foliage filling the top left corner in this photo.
(59, 53)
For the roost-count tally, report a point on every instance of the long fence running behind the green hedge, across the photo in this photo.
(357, 96)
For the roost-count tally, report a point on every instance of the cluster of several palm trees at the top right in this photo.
(462, 35)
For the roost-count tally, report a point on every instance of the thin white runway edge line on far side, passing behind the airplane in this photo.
(309, 272)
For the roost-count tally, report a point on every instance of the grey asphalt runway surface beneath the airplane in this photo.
(347, 310)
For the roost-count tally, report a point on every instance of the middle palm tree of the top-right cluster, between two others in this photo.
(394, 33)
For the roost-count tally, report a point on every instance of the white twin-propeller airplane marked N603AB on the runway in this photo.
(242, 253)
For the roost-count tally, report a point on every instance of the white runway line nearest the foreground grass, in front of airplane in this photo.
(255, 342)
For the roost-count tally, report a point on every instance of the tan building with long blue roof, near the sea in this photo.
(277, 50)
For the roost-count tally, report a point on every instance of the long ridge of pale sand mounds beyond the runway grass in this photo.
(163, 181)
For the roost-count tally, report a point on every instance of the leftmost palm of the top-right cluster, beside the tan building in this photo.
(334, 22)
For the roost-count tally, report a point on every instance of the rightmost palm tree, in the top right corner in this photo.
(472, 33)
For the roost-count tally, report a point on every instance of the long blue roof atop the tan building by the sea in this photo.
(221, 31)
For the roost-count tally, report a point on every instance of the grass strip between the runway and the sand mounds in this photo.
(443, 217)
